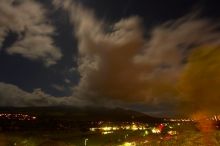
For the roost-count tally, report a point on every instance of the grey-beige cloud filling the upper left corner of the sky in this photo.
(28, 19)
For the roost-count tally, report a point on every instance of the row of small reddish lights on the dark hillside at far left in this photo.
(20, 117)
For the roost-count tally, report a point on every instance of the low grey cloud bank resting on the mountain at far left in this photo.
(11, 95)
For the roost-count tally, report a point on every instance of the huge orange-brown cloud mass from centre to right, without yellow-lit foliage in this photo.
(116, 62)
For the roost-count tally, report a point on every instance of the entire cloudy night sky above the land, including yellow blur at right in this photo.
(152, 56)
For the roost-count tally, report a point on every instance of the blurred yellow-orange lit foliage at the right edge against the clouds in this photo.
(200, 81)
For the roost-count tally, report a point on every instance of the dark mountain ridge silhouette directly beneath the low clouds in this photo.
(83, 114)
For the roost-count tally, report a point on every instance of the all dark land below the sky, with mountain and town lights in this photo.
(91, 127)
